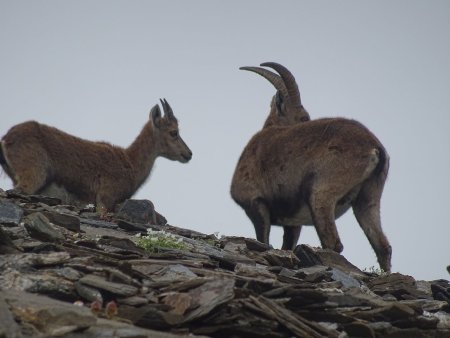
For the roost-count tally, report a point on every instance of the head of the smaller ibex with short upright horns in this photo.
(171, 145)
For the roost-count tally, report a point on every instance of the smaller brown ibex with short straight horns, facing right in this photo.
(37, 157)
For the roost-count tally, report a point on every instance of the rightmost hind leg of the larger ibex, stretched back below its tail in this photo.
(367, 211)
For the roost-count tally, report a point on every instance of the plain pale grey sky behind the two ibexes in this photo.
(95, 68)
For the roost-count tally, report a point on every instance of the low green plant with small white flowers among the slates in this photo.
(155, 240)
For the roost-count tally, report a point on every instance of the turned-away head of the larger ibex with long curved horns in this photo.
(286, 106)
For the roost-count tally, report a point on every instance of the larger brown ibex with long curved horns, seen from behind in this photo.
(298, 172)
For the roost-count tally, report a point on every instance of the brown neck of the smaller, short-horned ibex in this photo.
(142, 153)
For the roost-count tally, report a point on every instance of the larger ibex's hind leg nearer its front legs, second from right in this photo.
(322, 211)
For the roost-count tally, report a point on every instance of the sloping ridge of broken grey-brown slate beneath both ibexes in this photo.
(66, 272)
